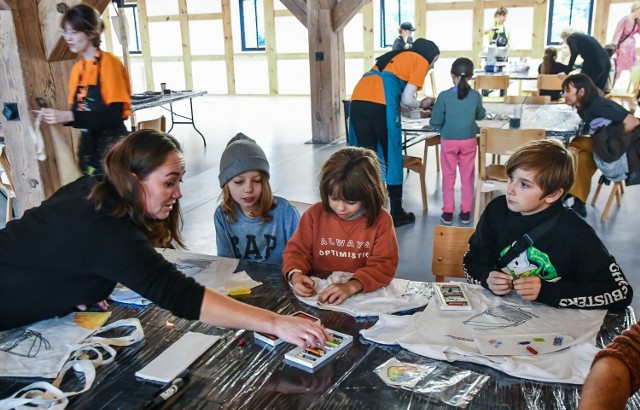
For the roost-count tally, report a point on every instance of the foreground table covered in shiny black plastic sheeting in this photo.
(239, 373)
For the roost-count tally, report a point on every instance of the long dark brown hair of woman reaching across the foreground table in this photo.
(129, 161)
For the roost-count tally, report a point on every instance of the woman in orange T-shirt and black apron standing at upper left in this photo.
(99, 89)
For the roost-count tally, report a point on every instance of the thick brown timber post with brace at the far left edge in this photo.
(27, 70)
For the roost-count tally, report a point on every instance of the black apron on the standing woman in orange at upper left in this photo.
(94, 143)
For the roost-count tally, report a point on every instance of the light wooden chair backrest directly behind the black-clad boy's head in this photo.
(501, 141)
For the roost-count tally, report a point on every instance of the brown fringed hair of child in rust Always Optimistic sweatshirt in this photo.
(353, 174)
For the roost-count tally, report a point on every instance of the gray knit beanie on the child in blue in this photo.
(241, 155)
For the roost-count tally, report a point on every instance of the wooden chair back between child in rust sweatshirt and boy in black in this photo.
(450, 243)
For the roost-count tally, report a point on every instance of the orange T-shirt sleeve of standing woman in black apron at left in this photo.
(114, 83)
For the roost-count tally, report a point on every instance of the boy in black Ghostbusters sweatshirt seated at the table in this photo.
(568, 266)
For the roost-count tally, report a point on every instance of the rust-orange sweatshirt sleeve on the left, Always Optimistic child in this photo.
(298, 252)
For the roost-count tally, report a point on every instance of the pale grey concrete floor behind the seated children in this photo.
(282, 127)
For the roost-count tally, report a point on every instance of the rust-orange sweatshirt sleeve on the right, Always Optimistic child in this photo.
(383, 262)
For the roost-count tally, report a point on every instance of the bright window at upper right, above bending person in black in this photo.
(565, 13)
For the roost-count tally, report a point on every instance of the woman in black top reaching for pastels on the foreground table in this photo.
(93, 233)
